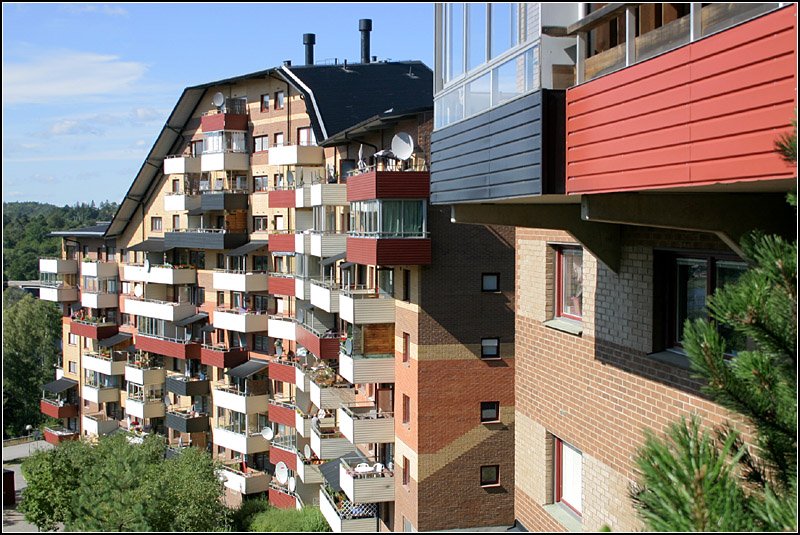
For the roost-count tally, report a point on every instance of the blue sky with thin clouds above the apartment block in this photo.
(87, 87)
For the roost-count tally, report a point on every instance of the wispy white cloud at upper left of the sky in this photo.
(52, 77)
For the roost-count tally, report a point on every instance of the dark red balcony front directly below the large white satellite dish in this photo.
(389, 185)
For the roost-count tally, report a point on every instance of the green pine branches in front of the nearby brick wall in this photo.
(694, 482)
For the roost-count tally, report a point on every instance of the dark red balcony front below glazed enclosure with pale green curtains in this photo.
(389, 251)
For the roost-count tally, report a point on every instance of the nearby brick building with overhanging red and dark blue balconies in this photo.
(632, 145)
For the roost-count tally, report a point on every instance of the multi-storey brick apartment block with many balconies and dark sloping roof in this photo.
(276, 288)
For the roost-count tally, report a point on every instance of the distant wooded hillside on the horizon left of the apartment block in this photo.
(27, 224)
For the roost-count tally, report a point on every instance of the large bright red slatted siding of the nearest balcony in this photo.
(706, 113)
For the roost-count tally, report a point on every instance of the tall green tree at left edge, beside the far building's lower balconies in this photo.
(31, 347)
